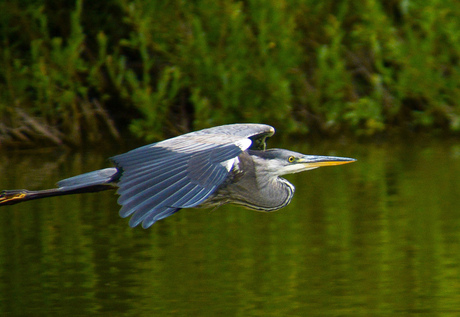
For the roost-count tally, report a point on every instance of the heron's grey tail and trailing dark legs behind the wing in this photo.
(91, 182)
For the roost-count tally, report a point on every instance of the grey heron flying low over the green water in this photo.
(228, 164)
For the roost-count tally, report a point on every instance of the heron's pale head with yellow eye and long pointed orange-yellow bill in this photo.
(281, 162)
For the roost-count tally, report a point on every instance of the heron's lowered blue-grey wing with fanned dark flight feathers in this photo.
(159, 179)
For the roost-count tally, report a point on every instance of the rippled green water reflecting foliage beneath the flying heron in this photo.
(379, 237)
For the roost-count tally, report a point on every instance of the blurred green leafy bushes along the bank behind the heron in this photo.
(75, 72)
